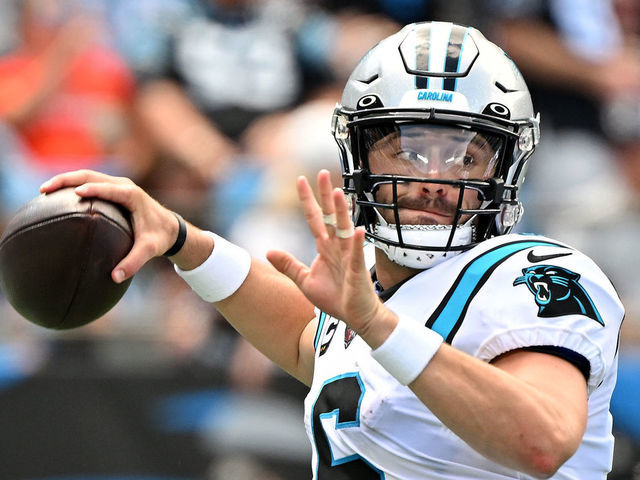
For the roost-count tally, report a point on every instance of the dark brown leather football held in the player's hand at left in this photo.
(56, 258)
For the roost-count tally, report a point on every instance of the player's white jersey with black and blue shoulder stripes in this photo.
(510, 292)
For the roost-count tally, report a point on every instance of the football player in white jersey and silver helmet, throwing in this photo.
(435, 342)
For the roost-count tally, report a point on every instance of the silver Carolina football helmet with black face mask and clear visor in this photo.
(435, 91)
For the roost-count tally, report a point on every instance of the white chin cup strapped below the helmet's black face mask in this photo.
(417, 234)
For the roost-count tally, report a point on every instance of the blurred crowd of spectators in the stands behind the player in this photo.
(216, 106)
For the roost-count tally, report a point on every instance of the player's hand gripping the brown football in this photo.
(155, 227)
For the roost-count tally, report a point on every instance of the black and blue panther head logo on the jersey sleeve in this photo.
(557, 292)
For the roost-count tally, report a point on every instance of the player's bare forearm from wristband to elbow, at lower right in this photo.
(500, 415)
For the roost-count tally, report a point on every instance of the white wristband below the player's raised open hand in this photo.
(408, 349)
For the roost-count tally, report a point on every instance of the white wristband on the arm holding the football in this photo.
(221, 274)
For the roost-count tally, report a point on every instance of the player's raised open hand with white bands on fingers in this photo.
(337, 282)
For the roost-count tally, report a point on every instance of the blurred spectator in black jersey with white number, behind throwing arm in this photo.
(204, 76)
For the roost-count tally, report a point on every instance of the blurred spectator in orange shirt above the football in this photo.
(64, 98)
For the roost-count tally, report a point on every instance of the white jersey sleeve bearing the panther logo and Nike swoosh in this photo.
(555, 297)
